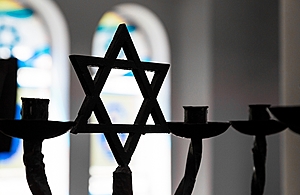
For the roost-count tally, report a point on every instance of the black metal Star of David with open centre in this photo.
(93, 102)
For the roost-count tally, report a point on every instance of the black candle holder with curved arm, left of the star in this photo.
(33, 129)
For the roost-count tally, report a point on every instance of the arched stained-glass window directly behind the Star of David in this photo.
(122, 99)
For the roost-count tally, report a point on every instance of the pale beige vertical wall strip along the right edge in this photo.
(290, 93)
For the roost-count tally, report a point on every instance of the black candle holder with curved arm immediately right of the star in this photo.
(195, 127)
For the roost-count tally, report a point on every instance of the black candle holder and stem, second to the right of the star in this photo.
(259, 125)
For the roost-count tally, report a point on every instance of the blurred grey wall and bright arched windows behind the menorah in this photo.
(224, 54)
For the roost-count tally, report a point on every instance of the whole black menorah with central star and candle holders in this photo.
(35, 126)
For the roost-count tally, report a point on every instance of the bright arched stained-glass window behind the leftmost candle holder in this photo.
(28, 34)
